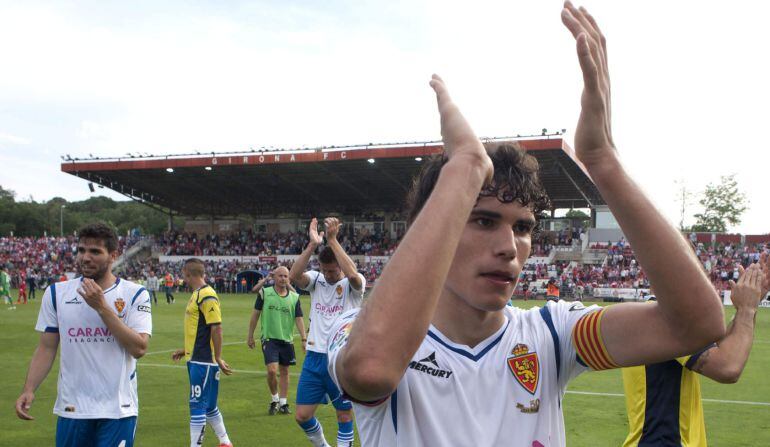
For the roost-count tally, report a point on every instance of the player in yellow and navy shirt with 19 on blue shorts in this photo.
(203, 352)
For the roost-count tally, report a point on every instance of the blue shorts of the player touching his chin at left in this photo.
(95, 432)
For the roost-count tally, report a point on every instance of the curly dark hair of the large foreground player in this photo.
(515, 178)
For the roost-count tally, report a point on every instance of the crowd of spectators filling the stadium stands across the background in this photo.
(45, 260)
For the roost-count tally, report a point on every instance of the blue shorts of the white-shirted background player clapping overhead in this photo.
(316, 386)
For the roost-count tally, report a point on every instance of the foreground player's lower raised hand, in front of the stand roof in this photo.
(459, 139)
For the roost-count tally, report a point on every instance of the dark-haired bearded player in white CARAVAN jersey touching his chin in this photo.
(104, 324)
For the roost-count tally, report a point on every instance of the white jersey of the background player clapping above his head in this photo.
(327, 302)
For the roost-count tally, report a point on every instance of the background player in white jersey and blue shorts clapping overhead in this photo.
(336, 288)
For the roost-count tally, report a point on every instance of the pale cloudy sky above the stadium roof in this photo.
(106, 78)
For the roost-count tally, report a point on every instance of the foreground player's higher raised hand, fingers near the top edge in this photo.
(593, 136)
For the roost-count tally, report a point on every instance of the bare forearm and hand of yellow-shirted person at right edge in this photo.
(725, 362)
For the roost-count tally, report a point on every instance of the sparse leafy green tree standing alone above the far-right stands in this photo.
(723, 204)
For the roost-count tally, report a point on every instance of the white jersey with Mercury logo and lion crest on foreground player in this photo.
(507, 390)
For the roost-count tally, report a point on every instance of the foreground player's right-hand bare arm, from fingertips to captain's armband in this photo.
(688, 315)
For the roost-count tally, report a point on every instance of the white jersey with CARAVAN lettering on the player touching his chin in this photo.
(97, 376)
